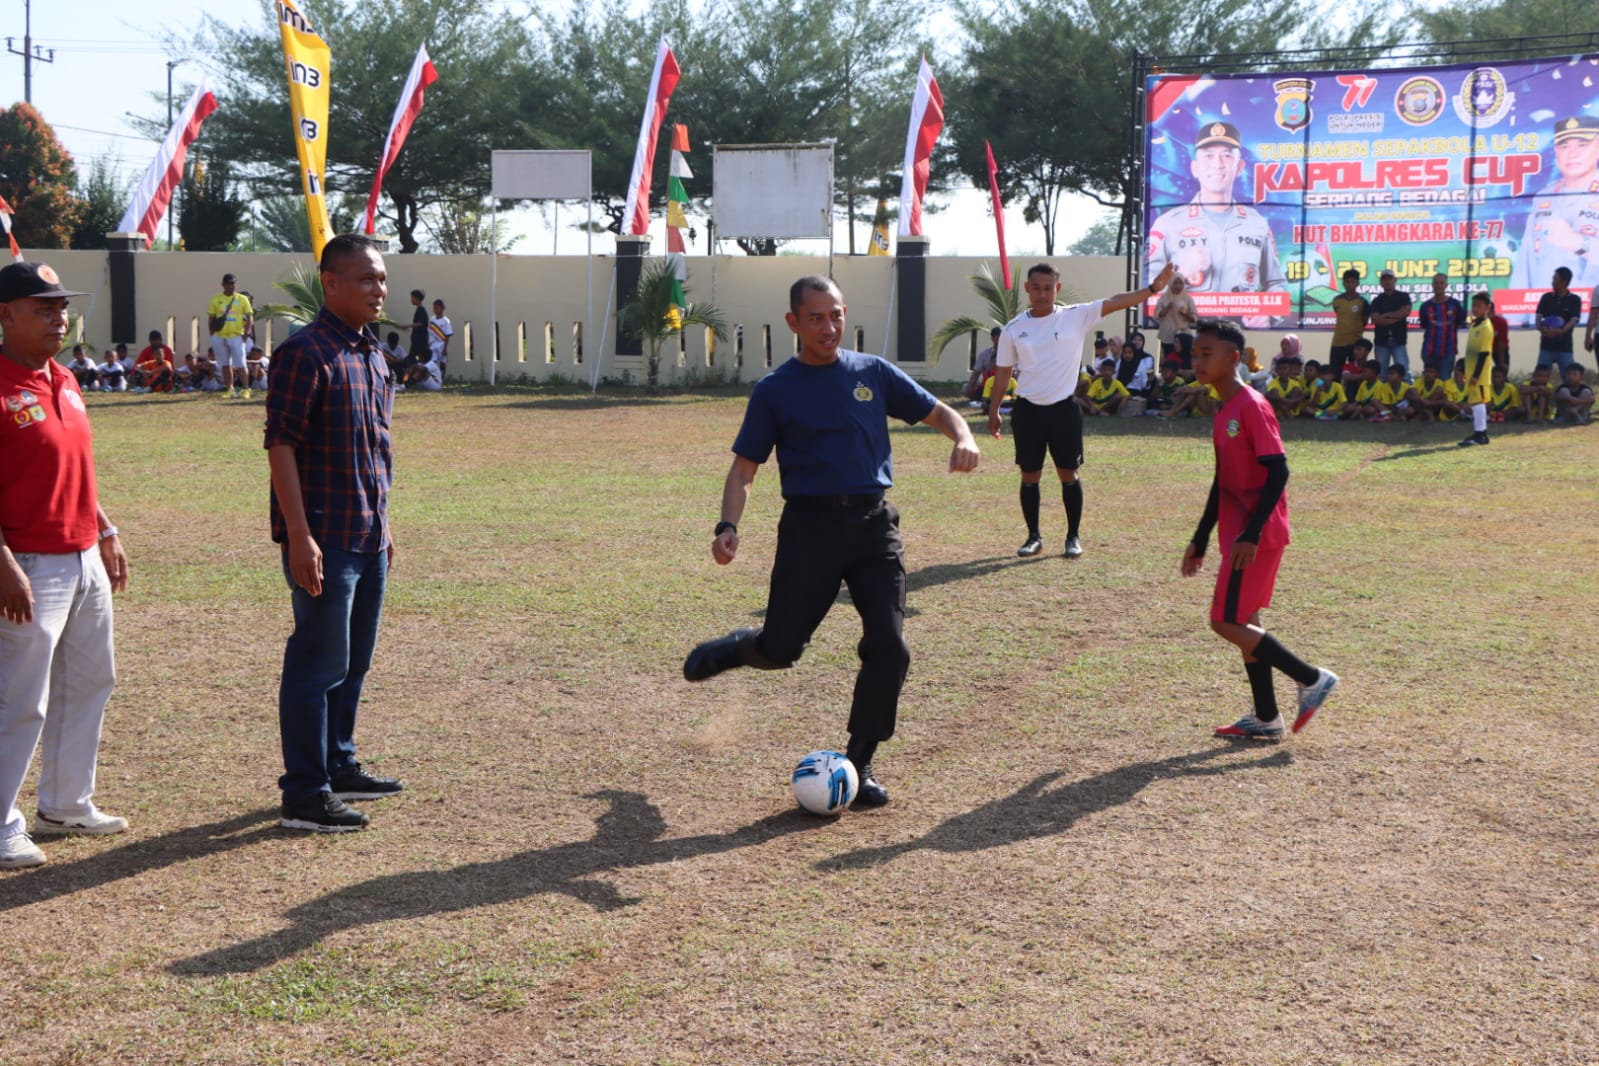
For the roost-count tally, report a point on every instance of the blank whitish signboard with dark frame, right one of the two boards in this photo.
(778, 191)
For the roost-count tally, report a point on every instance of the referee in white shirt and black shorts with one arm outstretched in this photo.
(1043, 348)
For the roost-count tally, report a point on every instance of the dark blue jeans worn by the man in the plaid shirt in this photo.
(325, 666)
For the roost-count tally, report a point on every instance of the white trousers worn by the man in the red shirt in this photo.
(57, 675)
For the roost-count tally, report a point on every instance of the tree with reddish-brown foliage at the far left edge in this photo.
(38, 178)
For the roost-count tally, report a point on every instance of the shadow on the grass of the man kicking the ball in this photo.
(628, 837)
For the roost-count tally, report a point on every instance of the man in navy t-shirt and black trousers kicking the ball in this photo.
(826, 412)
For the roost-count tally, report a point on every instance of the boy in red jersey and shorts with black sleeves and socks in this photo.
(1248, 501)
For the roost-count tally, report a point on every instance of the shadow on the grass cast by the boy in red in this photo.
(1037, 809)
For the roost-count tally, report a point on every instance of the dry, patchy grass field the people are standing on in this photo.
(599, 864)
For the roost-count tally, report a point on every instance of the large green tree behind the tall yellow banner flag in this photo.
(477, 49)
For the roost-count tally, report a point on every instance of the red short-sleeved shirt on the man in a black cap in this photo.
(47, 461)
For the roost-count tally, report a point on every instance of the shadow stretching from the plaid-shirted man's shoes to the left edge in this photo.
(140, 857)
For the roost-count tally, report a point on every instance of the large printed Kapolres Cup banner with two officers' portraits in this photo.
(1266, 189)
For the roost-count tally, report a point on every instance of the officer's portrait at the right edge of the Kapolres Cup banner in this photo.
(1563, 226)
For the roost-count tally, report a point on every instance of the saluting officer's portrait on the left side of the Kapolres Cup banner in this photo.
(1218, 244)
